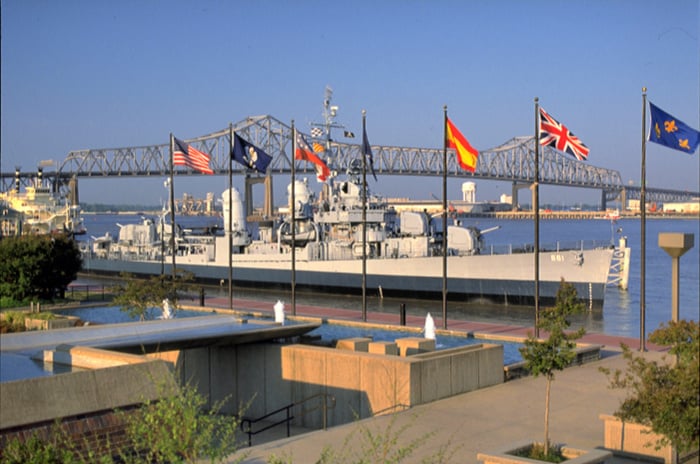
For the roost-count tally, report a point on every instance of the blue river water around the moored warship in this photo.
(621, 311)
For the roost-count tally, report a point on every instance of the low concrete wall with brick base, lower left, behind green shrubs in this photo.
(83, 402)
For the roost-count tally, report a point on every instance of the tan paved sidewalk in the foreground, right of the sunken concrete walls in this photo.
(479, 421)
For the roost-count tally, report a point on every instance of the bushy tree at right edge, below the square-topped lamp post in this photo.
(665, 395)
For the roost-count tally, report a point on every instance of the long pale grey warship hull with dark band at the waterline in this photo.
(497, 278)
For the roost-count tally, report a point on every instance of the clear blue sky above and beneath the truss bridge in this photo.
(93, 74)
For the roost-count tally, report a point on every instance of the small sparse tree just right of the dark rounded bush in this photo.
(137, 296)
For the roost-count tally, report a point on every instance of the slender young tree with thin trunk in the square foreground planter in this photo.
(557, 351)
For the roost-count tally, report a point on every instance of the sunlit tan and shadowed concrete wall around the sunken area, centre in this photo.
(269, 376)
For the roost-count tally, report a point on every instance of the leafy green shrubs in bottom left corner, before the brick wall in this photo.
(175, 429)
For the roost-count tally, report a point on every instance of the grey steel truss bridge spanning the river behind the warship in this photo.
(513, 161)
